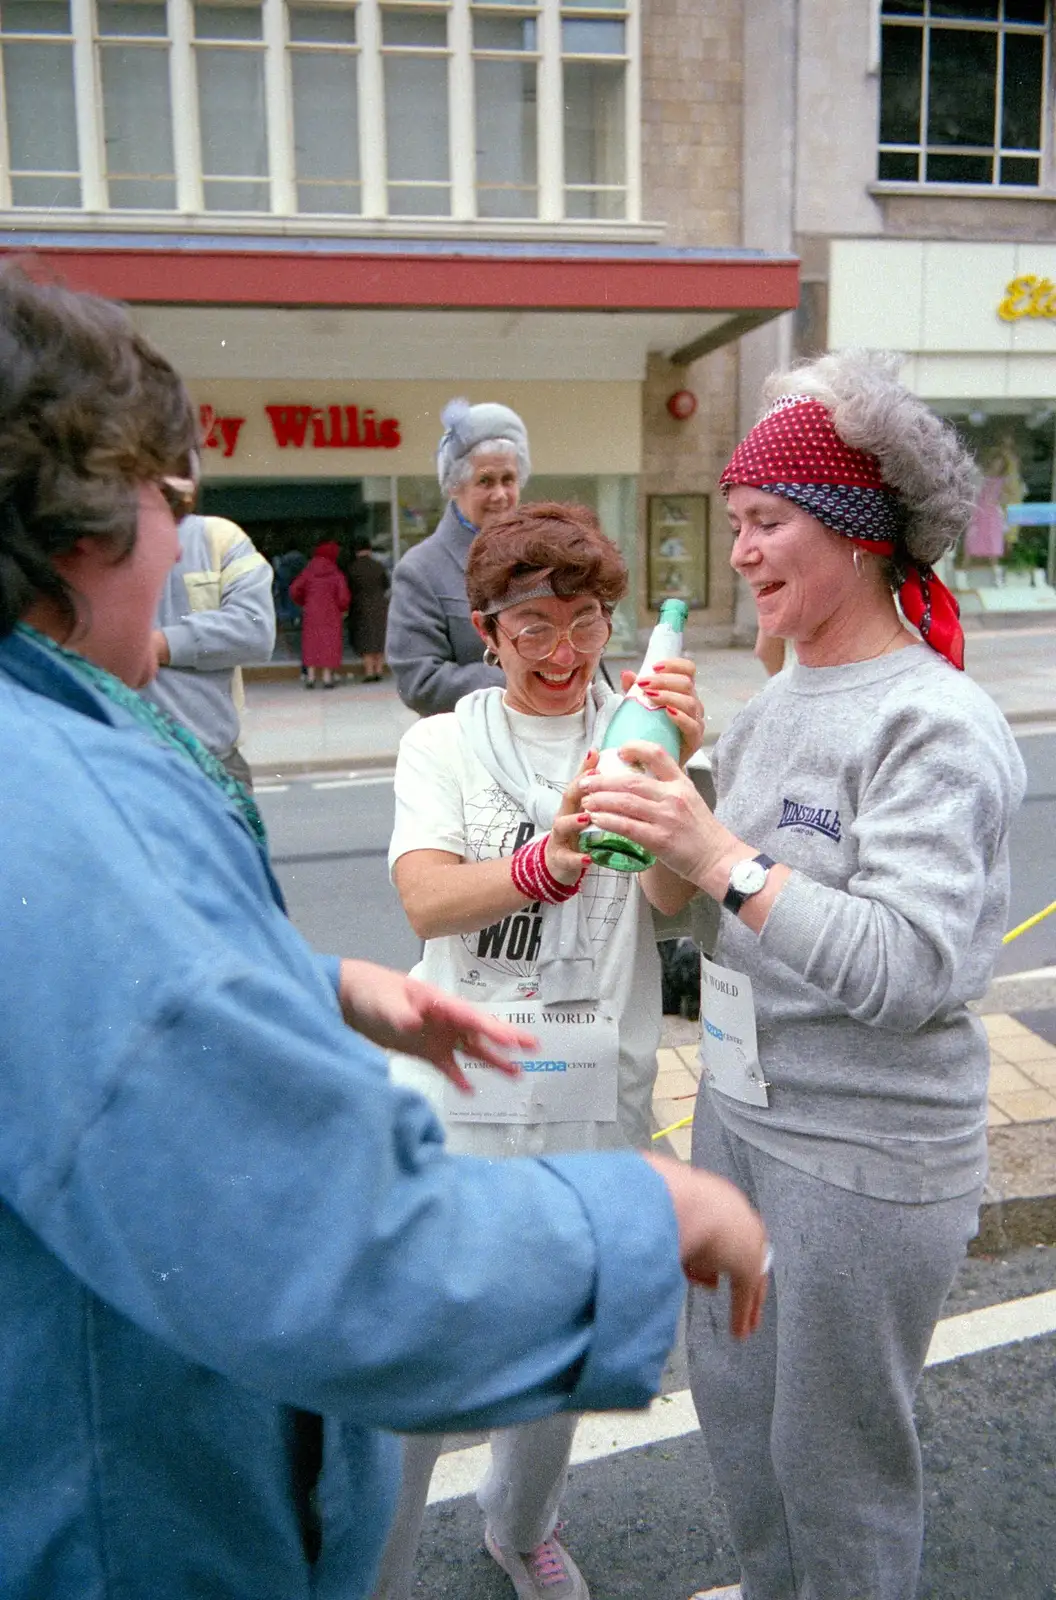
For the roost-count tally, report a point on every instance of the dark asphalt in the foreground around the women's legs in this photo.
(649, 1526)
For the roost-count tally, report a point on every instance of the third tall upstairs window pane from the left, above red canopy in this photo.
(233, 119)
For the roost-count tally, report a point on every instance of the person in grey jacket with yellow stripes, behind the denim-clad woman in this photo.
(217, 615)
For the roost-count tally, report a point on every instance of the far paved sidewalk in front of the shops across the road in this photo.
(289, 730)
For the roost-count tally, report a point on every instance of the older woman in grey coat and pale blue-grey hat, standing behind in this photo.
(433, 649)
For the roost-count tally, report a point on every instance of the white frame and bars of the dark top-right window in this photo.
(998, 151)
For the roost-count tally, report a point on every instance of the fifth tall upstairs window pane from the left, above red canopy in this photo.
(415, 60)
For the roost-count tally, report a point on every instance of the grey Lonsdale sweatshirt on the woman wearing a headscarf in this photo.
(889, 788)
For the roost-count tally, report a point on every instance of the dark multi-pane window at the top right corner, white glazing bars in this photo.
(962, 92)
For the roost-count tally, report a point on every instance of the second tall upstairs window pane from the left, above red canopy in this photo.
(137, 106)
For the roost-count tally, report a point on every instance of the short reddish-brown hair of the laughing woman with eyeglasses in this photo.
(566, 538)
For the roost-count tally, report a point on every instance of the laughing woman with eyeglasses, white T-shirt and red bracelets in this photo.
(486, 857)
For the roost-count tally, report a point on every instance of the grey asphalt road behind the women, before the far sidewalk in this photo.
(330, 839)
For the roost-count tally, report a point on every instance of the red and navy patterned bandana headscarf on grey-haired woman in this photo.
(796, 452)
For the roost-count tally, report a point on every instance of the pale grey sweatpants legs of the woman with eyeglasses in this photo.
(519, 1495)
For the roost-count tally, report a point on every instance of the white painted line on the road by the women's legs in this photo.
(671, 1417)
